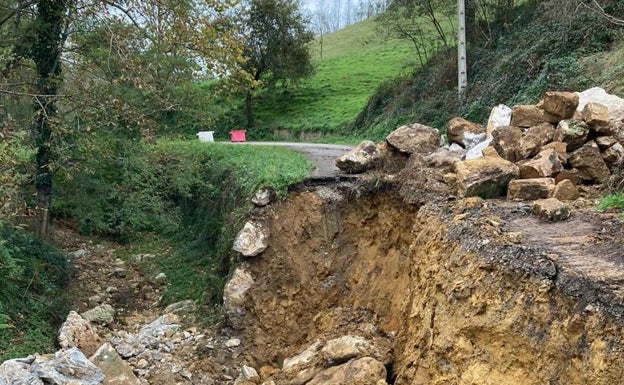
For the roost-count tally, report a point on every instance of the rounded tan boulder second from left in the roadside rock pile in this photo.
(414, 138)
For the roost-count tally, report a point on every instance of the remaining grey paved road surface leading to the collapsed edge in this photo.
(321, 155)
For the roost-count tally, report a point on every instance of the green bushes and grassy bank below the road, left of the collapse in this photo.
(182, 200)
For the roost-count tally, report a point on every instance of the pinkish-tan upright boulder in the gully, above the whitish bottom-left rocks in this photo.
(77, 332)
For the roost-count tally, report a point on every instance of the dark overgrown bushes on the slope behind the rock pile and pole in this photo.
(540, 51)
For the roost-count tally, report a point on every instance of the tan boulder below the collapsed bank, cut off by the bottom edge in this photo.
(363, 371)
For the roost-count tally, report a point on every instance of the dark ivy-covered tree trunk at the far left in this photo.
(46, 55)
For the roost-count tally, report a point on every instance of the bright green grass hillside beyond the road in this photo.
(355, 61)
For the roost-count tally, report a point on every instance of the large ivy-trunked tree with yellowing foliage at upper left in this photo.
(78, 59)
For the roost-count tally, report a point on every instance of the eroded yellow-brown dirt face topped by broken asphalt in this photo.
(469, 292)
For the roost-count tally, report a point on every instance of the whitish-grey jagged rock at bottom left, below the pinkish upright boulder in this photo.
(67, 367)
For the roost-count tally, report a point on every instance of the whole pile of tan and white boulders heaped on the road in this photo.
(550, 153)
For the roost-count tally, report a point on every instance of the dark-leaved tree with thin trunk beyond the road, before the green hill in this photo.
(276, 45)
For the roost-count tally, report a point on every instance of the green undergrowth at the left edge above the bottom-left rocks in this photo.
(32, 304)
